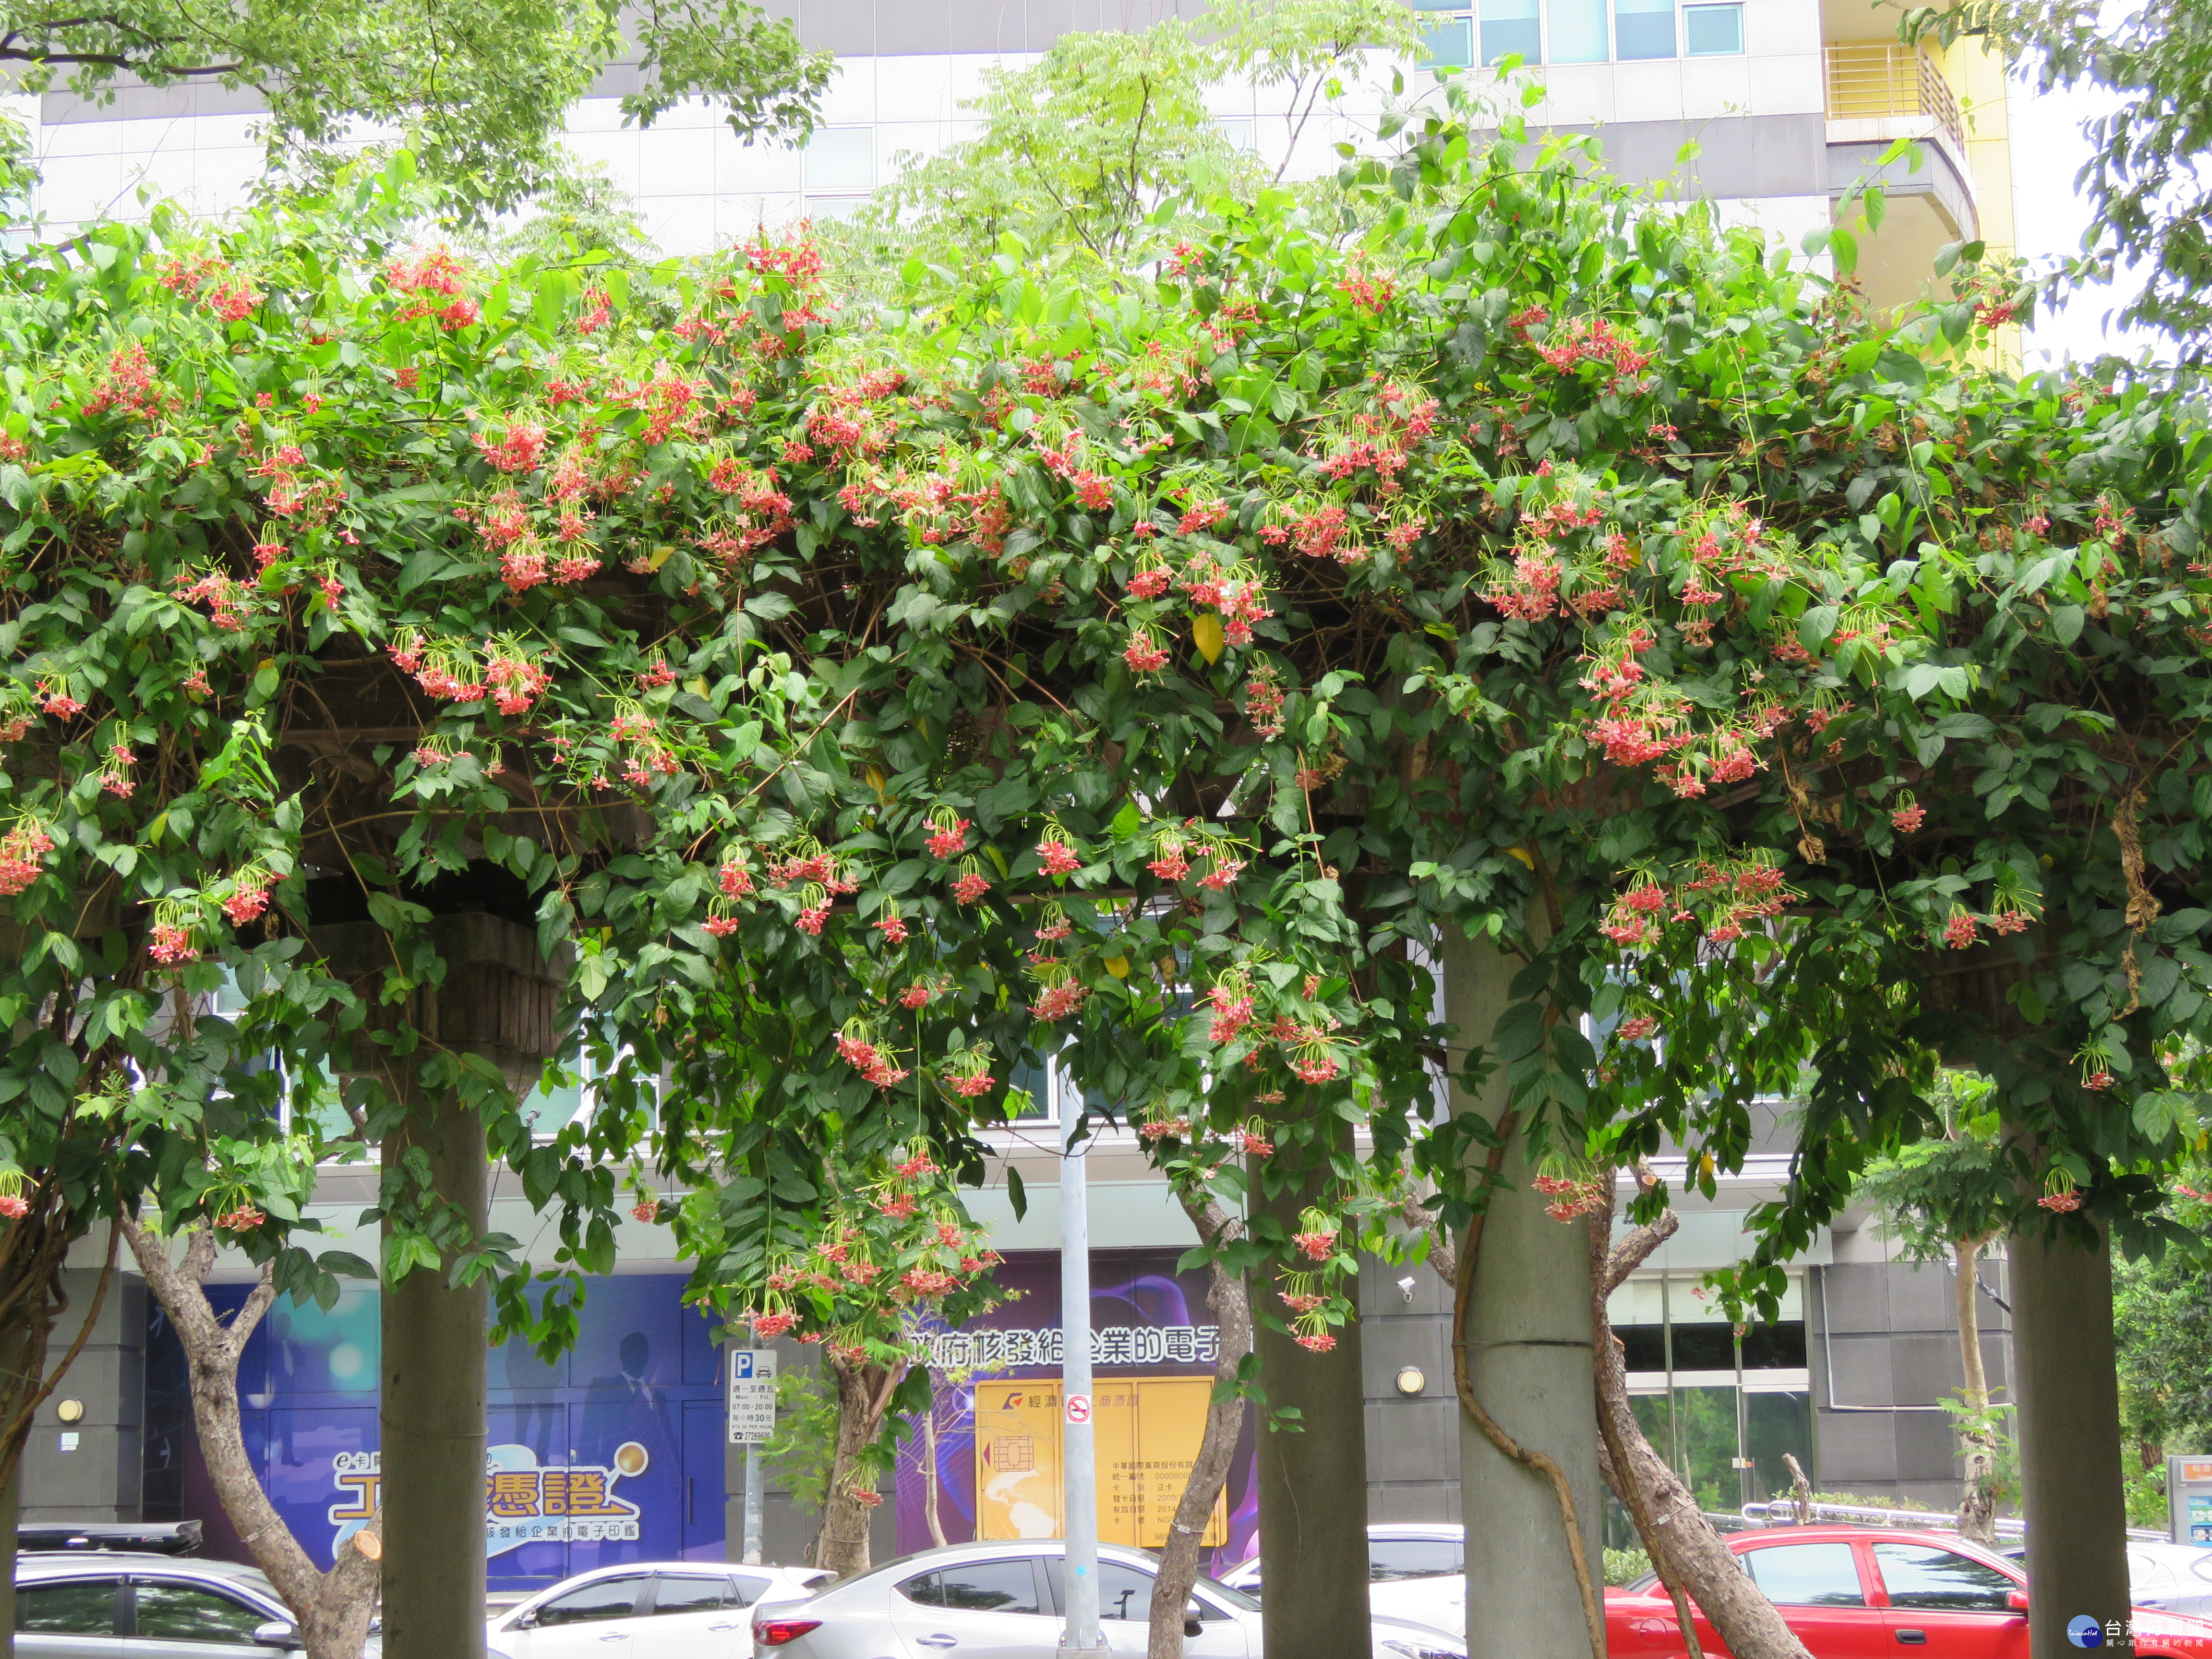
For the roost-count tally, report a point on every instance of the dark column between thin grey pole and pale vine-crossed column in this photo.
(1313, 1477)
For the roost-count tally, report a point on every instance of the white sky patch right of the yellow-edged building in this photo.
(2049, 222)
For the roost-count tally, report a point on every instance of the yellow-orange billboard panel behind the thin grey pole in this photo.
(1147, 1434)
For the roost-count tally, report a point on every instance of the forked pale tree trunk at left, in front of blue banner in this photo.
(333, 1609)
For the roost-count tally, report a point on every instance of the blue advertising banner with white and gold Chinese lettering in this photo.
(609, 1454)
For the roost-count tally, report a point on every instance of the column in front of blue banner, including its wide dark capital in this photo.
(497, 1001)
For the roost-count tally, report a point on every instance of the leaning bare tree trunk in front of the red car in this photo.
(1689, 1554)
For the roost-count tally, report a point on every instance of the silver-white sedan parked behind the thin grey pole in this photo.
(1003, 1603)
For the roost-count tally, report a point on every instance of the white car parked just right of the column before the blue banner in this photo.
(649, 1611)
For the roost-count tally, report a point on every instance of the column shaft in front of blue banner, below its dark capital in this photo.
(435, 1375)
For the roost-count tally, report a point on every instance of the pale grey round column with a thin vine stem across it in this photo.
(1530, 1366)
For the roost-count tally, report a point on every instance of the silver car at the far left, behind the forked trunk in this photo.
(121, 1605)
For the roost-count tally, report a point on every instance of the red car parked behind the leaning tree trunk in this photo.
(1879, 1594)
